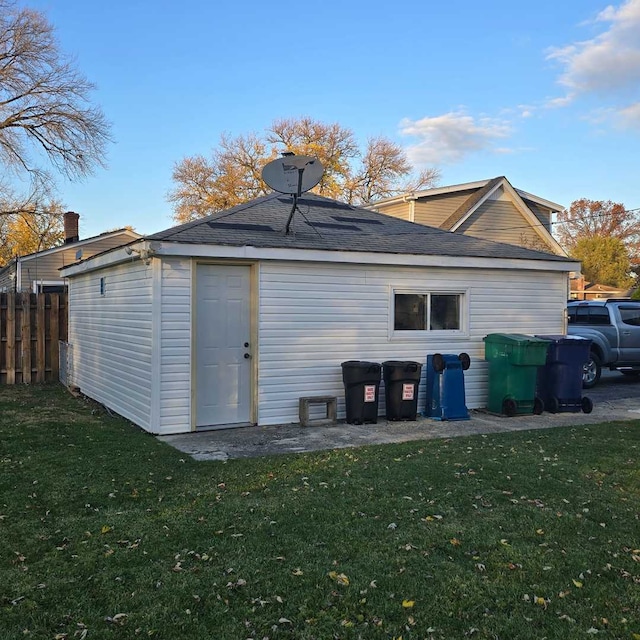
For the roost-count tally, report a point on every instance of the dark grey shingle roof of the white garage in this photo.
(323, 224)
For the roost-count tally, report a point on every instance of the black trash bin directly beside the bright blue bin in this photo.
(401, 381)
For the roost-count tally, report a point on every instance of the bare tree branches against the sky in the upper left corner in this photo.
(44, 101)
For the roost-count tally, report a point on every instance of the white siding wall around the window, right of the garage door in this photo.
(312, 317)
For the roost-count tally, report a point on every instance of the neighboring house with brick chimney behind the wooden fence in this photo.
(39, 272)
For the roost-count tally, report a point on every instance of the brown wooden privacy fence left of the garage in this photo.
(31, 326)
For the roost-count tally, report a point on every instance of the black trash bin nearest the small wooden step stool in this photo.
(361, 386)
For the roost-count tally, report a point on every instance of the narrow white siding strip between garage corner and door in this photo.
(175, 377)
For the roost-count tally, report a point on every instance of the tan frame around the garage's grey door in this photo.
(253, 332)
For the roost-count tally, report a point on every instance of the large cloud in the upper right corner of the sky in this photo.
(608, 62)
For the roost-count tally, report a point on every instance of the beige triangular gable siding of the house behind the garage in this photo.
(501, 221)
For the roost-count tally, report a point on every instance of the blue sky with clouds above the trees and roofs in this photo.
(546, 93)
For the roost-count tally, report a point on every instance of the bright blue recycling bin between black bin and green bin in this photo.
(445, 386)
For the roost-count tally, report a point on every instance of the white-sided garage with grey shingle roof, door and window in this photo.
(228, 321)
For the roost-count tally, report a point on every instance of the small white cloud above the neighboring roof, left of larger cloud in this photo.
(450, 137)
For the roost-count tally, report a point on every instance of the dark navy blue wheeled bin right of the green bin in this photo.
(559, 381)
